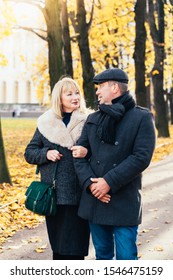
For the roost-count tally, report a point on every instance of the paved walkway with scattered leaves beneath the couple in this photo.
(155, 240)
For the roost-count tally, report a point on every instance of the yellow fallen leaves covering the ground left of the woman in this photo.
(13, 214)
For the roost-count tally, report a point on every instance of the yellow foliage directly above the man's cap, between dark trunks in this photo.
(112, 36)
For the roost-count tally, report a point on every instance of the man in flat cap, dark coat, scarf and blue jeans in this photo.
(120, 138)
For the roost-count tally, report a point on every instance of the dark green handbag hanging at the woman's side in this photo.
(41, 197)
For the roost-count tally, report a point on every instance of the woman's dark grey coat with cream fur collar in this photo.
(51, 132)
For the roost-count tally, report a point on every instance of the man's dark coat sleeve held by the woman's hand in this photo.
(82, 165)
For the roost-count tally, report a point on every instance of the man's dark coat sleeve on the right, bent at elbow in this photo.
(138, 160)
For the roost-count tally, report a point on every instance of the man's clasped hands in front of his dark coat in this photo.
(100, 189)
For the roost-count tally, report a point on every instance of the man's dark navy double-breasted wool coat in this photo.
(120, 165)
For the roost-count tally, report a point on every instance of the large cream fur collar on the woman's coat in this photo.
(54, 130)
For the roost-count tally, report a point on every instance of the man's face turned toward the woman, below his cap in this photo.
(106, 93)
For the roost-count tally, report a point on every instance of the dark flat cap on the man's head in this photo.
(113, 74)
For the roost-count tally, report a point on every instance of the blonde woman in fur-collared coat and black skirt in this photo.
(57, 131)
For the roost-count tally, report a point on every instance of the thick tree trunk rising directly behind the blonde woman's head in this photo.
(55, 44)
